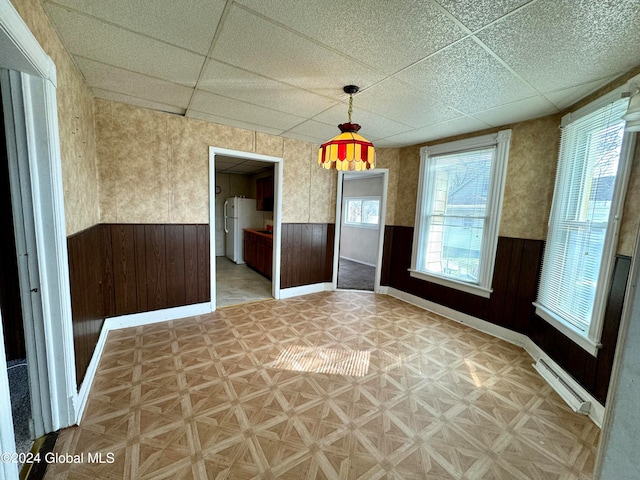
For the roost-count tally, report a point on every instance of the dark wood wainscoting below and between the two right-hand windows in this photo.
(515, 282)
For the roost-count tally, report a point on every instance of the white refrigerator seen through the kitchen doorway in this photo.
(239, 213)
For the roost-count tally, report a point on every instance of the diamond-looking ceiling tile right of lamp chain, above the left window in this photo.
(466, 77)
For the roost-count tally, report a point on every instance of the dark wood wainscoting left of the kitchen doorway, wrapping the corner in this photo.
(119, 269)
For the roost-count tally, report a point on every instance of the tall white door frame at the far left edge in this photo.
(31, 121)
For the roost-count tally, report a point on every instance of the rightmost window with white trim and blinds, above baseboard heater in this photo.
(583, 224)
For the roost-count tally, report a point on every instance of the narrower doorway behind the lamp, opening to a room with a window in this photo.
(360, 221)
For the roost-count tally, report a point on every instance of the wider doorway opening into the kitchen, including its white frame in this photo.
(245, 226)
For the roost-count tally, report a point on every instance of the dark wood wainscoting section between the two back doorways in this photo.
(307, 254)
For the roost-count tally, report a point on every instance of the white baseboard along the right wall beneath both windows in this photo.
(596, 411)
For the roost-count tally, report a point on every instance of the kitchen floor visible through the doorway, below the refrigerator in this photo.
(239, 284)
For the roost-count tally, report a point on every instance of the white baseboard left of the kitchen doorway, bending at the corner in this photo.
(126, 321)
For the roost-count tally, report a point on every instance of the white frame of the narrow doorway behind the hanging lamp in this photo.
(384, 172)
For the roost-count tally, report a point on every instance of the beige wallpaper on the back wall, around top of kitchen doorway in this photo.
(154, 167)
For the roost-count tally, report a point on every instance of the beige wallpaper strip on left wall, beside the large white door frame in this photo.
(75, 121)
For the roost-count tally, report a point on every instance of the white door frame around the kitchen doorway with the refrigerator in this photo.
(277, 213)
